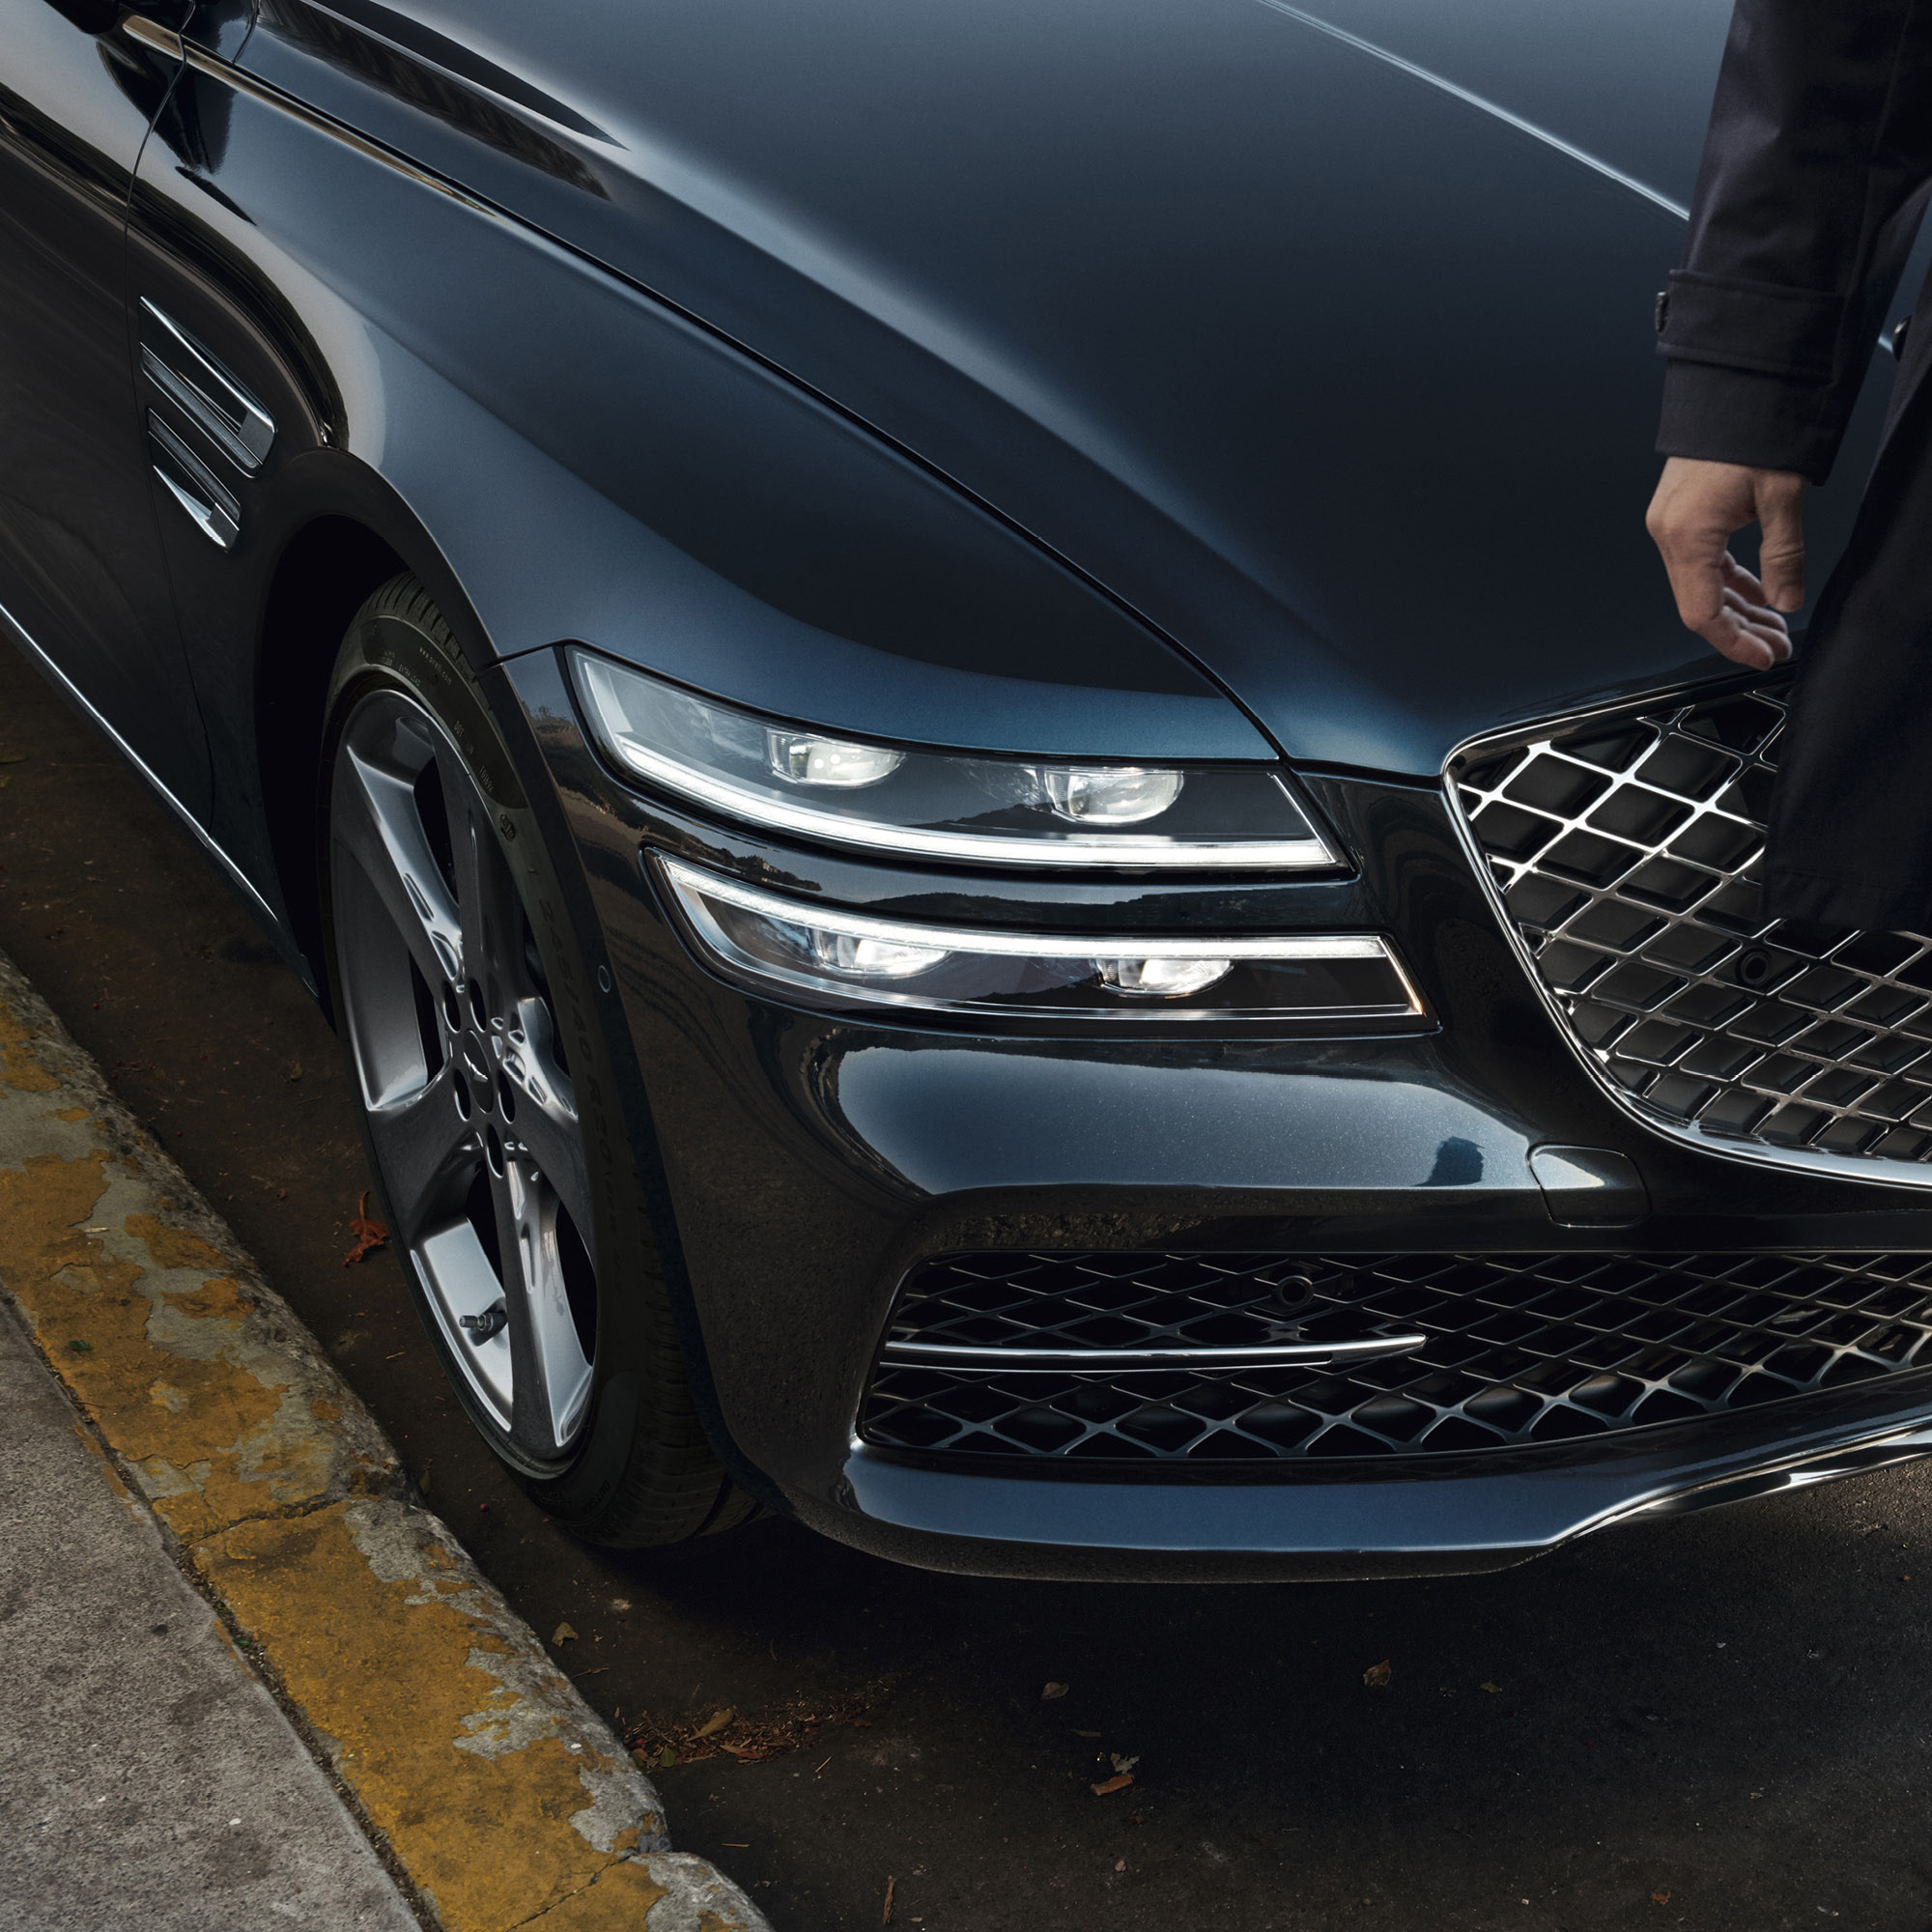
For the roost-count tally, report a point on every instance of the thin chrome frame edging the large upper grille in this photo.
(1747, 1154)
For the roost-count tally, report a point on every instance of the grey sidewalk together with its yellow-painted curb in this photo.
(335, 1672)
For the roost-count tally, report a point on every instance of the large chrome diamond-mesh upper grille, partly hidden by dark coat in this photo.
(1624, 855)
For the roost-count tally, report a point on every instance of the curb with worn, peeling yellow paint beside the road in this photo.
(494, 1790)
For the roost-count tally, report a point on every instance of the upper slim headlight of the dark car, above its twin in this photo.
(936, 805)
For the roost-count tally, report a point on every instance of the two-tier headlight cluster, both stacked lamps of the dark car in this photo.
(926, 805)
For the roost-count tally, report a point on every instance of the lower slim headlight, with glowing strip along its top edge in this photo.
(836, 957)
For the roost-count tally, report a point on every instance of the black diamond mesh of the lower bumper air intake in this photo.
(1520, 1350)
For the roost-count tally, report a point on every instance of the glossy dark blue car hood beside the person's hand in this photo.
(1319, 335)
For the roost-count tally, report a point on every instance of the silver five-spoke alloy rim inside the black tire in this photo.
(463, 1075)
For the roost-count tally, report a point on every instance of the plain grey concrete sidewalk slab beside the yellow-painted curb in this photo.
(146, 1775)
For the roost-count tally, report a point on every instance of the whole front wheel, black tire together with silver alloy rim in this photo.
(484, 1077)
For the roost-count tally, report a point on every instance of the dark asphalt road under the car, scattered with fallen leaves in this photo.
(1707, 1722)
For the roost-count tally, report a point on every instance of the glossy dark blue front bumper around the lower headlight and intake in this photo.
(805, 1164)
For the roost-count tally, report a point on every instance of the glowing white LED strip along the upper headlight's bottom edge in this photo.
(1114, 849)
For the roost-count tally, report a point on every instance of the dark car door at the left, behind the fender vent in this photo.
(82, 575)
